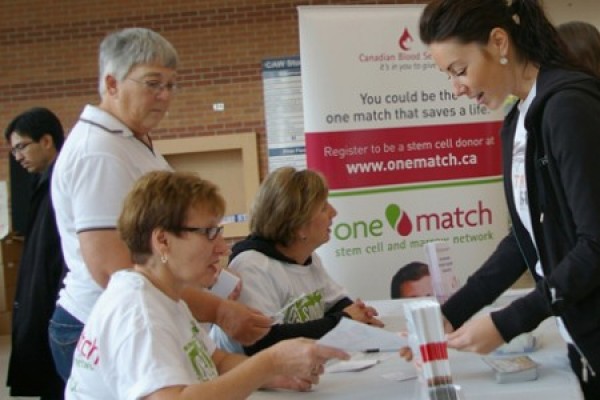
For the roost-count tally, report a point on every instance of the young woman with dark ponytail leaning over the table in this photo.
(491, 49)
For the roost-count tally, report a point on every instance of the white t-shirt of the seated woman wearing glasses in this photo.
(138, 340)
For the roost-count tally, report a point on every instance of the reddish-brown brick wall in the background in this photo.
(49, 56)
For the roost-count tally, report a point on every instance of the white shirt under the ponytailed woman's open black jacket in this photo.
(519, 181)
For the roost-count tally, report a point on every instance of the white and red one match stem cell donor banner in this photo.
(407, 161)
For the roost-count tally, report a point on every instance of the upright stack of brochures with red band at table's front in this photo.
(426, 328)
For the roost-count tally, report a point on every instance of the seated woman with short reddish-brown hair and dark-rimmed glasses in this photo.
(141, 340)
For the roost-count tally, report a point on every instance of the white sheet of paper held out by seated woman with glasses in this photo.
(350, 335)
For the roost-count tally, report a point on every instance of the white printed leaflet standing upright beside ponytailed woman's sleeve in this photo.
(441, 269)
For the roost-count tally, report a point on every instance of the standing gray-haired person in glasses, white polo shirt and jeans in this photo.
(106, 151)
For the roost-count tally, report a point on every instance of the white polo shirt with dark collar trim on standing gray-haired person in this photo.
(96, 168)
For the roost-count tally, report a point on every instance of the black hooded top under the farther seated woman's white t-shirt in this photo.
(311, 329)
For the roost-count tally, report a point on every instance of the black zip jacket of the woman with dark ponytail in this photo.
(562, 165)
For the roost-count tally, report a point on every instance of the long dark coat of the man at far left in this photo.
(31, 369)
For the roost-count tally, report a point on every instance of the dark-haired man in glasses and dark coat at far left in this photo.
(35, 137)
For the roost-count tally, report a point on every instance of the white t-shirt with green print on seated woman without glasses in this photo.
(289, 293)
